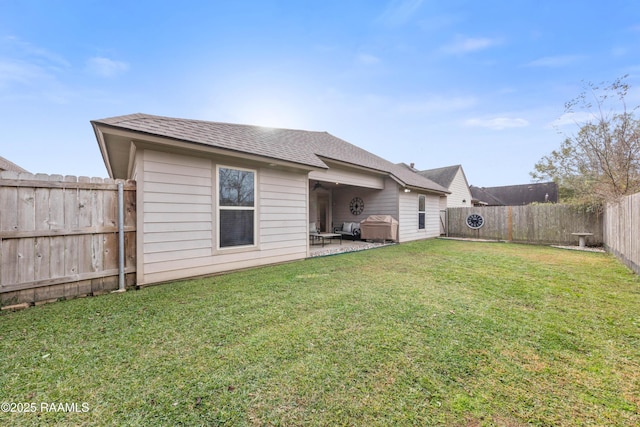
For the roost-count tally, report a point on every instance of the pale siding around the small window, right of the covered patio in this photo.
(408, 221)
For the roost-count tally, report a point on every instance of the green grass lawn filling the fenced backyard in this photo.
(427, 333)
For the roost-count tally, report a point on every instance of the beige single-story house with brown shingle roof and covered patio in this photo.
(214, 197)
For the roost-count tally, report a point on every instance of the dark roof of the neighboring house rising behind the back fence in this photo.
(515, 195)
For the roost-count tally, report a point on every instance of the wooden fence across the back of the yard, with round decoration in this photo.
(549, 224)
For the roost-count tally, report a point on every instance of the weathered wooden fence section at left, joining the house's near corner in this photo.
(59, 236)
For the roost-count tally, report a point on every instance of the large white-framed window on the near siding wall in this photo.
(236, 207)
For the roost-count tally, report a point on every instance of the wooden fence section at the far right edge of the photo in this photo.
(622, 230)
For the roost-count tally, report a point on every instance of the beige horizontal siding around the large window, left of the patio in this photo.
(178, 237)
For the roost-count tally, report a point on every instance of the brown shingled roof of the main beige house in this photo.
(305, 148)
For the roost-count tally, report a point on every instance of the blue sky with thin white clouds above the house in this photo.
(436, 83)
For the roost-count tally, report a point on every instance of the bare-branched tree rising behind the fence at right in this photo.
(601, 162)
